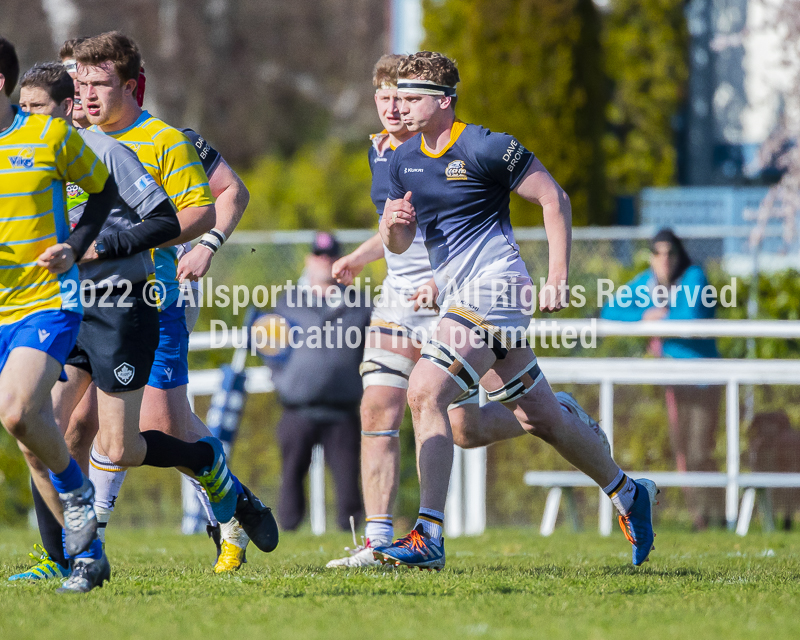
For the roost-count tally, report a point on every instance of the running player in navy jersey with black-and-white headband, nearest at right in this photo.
(454, 182)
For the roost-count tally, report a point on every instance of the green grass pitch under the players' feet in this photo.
(506, 584)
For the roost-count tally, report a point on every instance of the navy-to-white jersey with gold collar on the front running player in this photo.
(461, 196)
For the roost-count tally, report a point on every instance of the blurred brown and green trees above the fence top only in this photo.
(283, 89)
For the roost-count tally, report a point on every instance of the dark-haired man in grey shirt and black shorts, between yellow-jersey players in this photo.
(119, 331)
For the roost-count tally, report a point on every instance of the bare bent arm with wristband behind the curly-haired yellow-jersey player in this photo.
(232, 198)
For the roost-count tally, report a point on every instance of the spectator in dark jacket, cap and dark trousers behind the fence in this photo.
(319, 385)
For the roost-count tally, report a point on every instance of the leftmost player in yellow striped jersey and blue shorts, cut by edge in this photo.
(40, 307)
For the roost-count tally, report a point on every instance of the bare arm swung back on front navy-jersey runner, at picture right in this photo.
(538, 186)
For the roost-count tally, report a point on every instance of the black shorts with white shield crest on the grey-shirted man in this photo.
(117, 344)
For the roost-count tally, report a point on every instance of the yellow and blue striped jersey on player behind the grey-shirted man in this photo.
(171, 158)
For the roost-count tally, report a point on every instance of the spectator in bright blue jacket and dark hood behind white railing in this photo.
(692, 410)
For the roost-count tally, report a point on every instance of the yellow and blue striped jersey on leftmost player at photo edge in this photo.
(38, 155)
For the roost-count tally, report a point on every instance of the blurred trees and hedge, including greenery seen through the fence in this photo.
(283, 90)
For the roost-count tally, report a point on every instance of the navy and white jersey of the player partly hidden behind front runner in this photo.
(408, 271)
